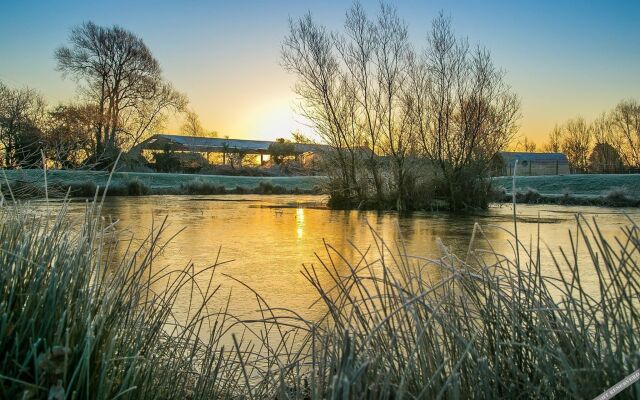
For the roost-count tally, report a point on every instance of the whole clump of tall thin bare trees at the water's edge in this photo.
(405, 125)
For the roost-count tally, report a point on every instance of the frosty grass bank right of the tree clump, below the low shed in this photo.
(580, 185)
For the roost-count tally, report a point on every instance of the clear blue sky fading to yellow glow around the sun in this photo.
(563, 58)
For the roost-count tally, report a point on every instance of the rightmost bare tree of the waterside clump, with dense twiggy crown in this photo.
(471, 114)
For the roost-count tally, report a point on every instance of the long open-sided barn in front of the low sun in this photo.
(225, 148)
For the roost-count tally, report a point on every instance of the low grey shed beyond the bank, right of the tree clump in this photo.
(530, 163)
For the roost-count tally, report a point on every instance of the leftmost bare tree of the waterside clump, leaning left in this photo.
(328, 100)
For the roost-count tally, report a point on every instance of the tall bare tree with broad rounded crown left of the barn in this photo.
(120, 77)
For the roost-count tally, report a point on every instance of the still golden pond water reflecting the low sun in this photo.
(268, 239)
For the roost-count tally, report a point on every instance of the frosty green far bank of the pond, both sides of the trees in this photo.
(577, 190)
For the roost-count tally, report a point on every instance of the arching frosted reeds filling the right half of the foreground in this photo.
(488, 327)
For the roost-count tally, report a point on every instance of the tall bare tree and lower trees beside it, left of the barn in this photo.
(122, 99)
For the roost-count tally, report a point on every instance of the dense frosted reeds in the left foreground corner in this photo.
(78, 320)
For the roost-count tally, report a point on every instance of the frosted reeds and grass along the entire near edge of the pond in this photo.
(78, 320)
